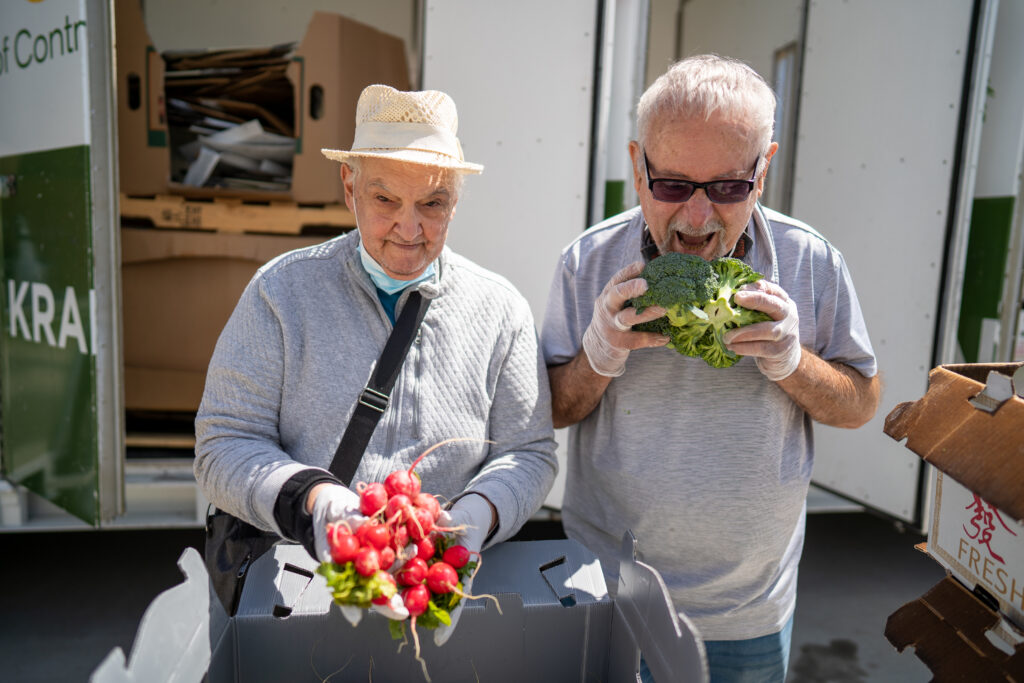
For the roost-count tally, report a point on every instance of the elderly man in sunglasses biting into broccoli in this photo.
(709, 467)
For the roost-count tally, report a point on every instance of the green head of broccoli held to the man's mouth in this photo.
(699, 303)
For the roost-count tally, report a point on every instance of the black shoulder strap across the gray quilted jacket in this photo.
(374, 400)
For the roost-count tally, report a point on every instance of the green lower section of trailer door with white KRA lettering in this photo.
(50, 436)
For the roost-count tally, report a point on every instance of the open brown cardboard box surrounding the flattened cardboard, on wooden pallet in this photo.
(335, 61)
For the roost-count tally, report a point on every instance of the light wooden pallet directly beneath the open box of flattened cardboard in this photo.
(236, 216)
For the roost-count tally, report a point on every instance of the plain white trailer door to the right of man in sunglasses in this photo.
(887, 147)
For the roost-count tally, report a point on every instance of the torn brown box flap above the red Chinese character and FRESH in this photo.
(983, 450)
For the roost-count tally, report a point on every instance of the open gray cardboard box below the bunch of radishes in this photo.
(558, 623)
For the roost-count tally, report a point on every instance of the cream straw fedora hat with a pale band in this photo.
(418, 127)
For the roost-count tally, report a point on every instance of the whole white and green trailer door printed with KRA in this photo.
(60, 352)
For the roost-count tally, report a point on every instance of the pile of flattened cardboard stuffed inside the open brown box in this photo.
(232, 118)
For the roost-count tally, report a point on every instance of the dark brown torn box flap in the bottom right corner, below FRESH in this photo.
(947, 627)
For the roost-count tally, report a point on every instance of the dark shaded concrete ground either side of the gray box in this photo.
(69, 599)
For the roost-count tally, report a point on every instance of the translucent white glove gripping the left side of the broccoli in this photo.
(610, 339)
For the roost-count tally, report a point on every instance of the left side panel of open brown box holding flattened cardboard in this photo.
(144, 157)
